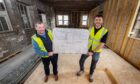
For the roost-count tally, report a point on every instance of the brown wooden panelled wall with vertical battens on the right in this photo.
(119, 18)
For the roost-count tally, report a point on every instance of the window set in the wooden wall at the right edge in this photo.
(136, 29)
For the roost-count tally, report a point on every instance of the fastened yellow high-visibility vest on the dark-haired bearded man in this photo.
(94, 39)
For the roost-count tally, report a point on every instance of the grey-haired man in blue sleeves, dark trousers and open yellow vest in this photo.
(42, 44)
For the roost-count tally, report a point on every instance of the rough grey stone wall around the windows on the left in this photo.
(18, 38)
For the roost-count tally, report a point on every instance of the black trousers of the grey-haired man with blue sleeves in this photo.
(46, 61)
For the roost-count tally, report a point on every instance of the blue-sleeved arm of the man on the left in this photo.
(37, 49)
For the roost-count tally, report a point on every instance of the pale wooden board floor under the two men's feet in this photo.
(111, 69)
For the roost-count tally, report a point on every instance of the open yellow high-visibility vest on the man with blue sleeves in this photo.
(40, 43)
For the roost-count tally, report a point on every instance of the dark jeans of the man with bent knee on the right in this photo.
(94, 61)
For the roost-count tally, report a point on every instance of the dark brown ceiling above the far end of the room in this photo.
(73, 4)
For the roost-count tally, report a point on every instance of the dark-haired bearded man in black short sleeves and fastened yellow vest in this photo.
(97, 39)
